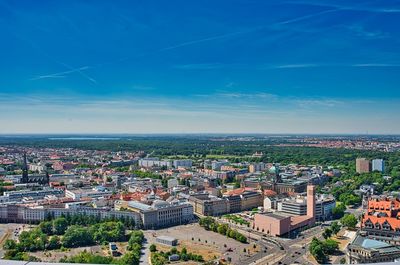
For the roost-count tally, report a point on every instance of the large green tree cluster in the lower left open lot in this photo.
(74, 231)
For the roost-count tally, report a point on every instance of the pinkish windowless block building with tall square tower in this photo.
(281, 224)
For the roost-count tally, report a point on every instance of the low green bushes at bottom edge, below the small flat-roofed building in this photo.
(161, 258)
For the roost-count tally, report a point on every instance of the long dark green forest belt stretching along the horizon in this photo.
(201, 146)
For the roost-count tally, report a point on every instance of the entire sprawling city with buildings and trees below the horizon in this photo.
(212, 199)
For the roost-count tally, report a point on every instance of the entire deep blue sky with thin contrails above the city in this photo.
(234, 66)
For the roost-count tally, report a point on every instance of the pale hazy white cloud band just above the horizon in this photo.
(229, 113)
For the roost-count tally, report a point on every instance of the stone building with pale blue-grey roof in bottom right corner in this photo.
(366, 250)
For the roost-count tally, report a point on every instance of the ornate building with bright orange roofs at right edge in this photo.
(381, 219)
